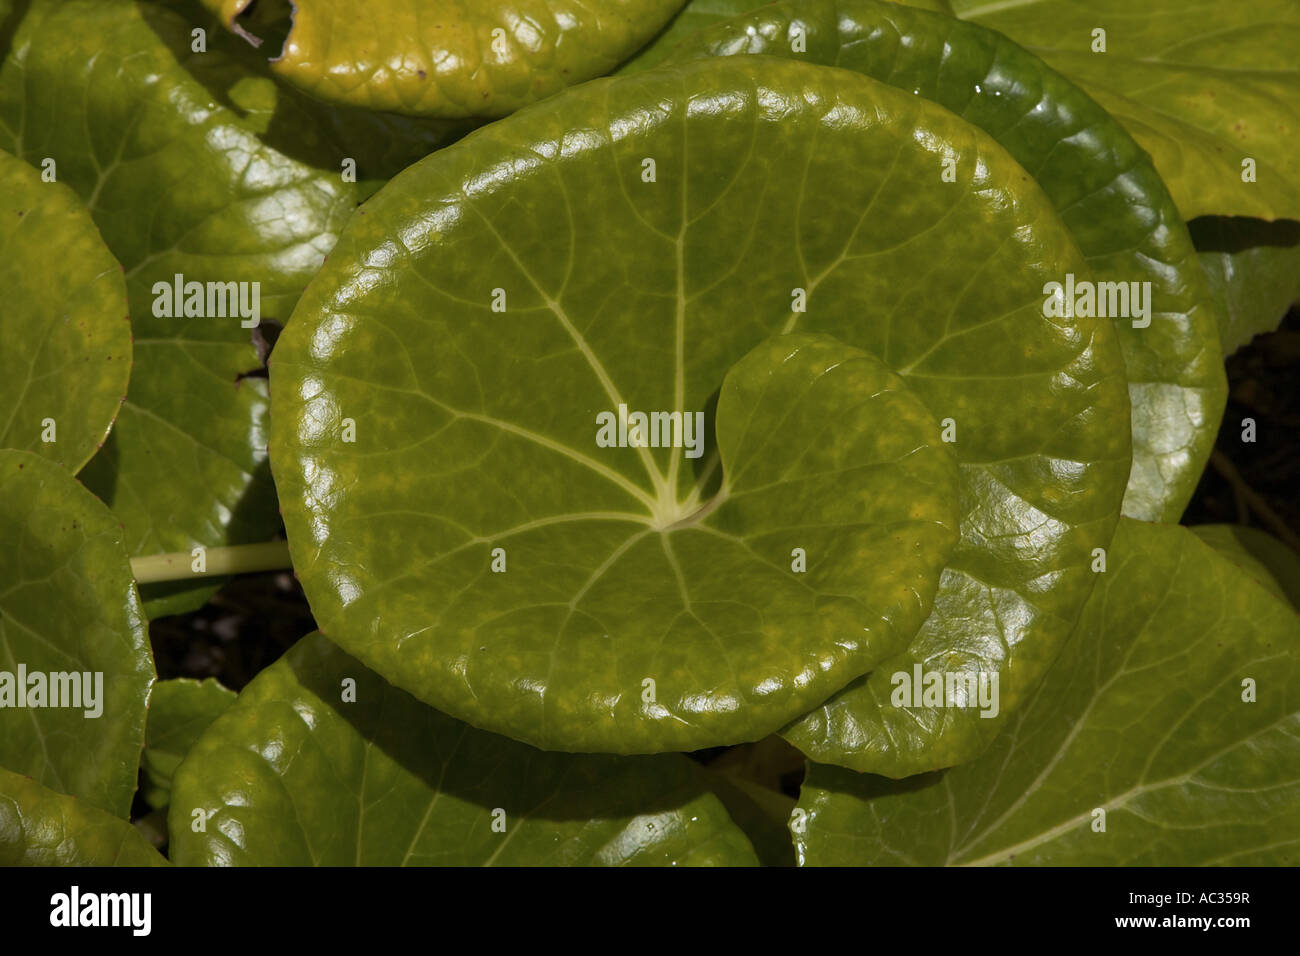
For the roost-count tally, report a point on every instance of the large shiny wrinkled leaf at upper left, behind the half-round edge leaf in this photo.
(179, 181)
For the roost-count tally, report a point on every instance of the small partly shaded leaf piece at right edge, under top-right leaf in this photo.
(1254, 271)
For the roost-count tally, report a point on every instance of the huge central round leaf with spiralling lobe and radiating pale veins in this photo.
(622, 622)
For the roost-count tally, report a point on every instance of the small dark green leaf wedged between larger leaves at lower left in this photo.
(180, 711)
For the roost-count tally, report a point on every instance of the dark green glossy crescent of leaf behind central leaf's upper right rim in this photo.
(1100, 181)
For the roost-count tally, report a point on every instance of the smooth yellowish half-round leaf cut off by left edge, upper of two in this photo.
(66, 340)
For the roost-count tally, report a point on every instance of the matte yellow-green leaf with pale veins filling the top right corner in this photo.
(1201, 86)
